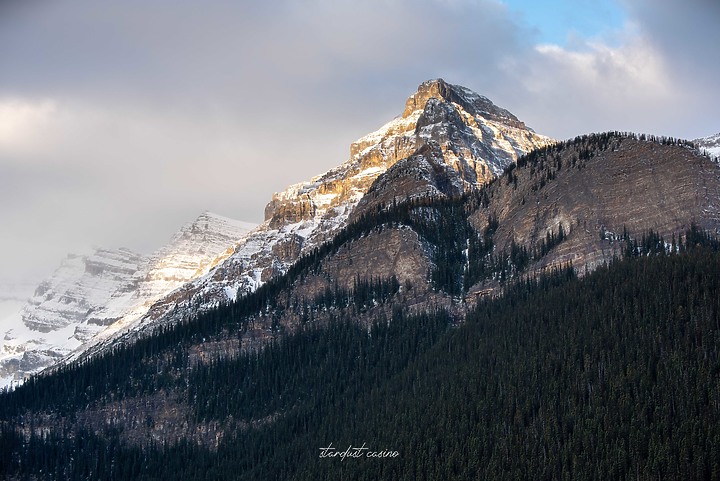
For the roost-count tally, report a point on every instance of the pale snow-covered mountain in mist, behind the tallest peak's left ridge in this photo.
(90, 294)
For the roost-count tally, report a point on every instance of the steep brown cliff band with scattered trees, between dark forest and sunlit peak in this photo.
(582, 203)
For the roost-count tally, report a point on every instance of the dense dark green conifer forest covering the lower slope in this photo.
(612, 376)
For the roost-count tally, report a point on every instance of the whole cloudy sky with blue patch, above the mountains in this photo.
(120, 121)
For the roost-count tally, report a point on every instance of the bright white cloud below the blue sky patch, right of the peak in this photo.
(624, 81)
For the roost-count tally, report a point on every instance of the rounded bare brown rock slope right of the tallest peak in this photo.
(597, 188)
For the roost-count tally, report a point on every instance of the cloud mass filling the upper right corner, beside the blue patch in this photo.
(654, 75)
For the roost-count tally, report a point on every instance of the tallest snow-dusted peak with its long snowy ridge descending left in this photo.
(474, 137)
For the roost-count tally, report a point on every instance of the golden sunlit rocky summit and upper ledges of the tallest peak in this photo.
(477, 139)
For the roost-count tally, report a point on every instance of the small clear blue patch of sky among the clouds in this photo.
(559, 22)
